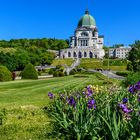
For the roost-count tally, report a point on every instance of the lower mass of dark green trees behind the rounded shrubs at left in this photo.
(21, 57)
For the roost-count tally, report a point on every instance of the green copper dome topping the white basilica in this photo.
(86, 20)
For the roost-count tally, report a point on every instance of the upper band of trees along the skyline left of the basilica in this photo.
(53, 44)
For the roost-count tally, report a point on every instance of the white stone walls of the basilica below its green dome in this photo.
(85, 44)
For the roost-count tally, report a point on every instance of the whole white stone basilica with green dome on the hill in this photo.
(86, 42)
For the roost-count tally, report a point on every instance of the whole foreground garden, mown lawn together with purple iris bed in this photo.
(83, 106)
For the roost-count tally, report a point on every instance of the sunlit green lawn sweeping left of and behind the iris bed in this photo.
(22, 103)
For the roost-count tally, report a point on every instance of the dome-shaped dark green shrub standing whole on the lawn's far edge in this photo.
(29, 72)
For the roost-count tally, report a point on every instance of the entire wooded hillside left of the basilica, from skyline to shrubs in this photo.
(16, 54)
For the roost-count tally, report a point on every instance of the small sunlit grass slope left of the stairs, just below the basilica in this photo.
(68, 62)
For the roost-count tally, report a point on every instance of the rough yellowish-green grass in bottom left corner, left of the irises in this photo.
(25, 122)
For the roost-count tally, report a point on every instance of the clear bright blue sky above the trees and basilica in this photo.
(117, 20)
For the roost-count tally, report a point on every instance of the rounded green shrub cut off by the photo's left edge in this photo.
(5, 74)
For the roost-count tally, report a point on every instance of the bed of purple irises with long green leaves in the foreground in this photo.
(97, 113)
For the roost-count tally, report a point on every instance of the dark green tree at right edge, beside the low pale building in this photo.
(134, 56)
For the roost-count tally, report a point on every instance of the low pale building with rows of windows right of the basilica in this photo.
(120, 52)
